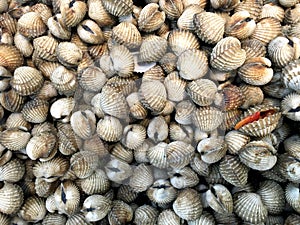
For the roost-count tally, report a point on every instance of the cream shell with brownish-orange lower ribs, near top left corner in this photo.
(31, 25)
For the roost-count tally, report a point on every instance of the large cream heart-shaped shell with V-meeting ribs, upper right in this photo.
(227, 54)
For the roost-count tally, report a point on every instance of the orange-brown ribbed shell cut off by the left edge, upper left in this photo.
(10, 57)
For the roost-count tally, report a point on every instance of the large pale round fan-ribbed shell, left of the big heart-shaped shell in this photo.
(192, 64)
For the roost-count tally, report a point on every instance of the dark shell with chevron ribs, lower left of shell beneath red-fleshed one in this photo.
(233, 171)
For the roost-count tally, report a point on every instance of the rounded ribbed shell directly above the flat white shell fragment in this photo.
(153, 48)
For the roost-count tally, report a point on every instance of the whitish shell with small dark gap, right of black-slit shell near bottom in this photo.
(96, 207)
